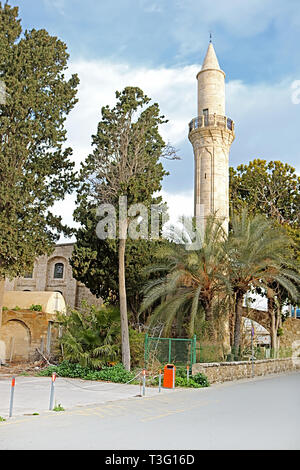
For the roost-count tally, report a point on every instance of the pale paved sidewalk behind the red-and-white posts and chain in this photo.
(32, 394)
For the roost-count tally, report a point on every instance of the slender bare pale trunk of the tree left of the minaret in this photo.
(123, 306)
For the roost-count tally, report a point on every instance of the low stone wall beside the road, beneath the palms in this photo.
(217, 372)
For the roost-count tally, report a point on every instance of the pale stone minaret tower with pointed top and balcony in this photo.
(211, 135)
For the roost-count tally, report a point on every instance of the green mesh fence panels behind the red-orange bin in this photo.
(161, 351)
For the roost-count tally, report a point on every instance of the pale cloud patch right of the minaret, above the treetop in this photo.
(267, 122)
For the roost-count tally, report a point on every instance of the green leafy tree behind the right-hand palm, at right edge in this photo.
(271, 189)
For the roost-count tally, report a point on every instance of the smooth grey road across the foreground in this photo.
(260, 413)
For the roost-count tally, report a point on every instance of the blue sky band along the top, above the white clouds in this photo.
(256, 40)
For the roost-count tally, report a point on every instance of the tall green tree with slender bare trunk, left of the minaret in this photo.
(125, 163)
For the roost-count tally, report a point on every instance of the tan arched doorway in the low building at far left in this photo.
(16, 339)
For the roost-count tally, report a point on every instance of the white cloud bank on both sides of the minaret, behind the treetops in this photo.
(266, 120)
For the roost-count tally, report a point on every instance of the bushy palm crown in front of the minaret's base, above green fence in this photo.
(192, 280)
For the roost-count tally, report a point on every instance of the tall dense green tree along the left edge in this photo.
(35, 165)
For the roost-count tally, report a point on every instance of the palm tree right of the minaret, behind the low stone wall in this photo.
(258, 255)
